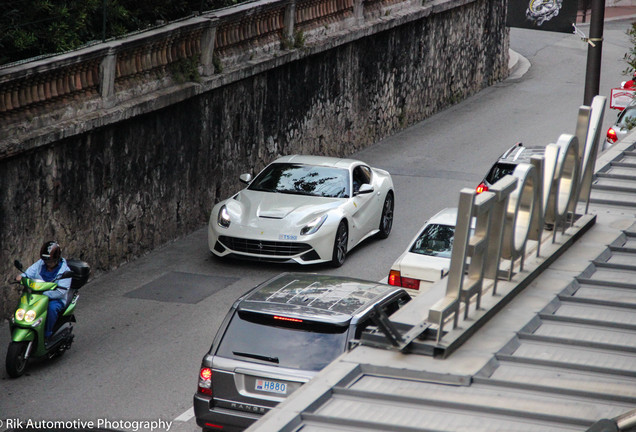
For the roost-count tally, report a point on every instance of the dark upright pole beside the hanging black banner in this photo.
(594, 50)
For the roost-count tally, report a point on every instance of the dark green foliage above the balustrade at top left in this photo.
(30, 28)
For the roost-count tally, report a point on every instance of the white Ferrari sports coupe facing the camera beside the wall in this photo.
(304, 209)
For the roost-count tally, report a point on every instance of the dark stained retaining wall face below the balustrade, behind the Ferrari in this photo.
(114, 184)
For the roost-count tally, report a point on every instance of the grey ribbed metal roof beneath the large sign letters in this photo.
(559, 356)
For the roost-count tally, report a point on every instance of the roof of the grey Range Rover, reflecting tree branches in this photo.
(318, 297)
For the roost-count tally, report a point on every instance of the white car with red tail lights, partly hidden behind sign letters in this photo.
(427, 258)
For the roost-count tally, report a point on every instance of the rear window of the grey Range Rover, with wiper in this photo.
(299, 345)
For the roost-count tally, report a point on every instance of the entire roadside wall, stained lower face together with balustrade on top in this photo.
(112, 173)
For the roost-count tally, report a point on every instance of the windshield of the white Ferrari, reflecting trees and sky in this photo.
(299, 179)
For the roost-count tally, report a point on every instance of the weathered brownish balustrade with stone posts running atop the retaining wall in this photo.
(102, 74)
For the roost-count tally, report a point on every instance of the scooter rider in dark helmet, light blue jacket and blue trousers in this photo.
(47, 268)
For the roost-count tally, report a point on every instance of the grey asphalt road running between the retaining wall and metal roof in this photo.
(137, 348)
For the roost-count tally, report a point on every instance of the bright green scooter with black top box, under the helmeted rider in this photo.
(28, 323)
